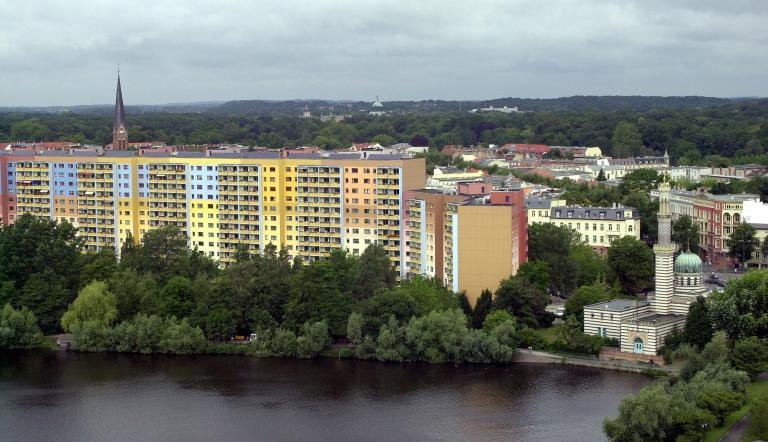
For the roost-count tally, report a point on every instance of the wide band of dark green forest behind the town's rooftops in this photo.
(690, 134)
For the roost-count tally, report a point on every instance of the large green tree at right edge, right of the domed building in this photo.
(741, 310)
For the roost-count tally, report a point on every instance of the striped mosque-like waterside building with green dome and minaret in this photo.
(641, 326)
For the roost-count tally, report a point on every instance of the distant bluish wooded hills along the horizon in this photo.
(295, 107)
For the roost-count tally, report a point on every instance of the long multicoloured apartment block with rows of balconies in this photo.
(309, 204)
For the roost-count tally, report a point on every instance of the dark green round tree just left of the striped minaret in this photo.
(633, 264)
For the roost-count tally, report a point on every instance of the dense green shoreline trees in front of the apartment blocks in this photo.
(162, 297)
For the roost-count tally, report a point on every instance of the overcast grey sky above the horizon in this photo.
(65, 53)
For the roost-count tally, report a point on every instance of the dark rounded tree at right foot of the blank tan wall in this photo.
(523, 300)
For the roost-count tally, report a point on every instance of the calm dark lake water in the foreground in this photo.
(72, 397)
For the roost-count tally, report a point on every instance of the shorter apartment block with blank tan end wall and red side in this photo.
(471, 243)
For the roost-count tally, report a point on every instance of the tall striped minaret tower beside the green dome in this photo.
(664, 251)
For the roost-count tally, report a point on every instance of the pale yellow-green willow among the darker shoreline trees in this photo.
(95, 303)
